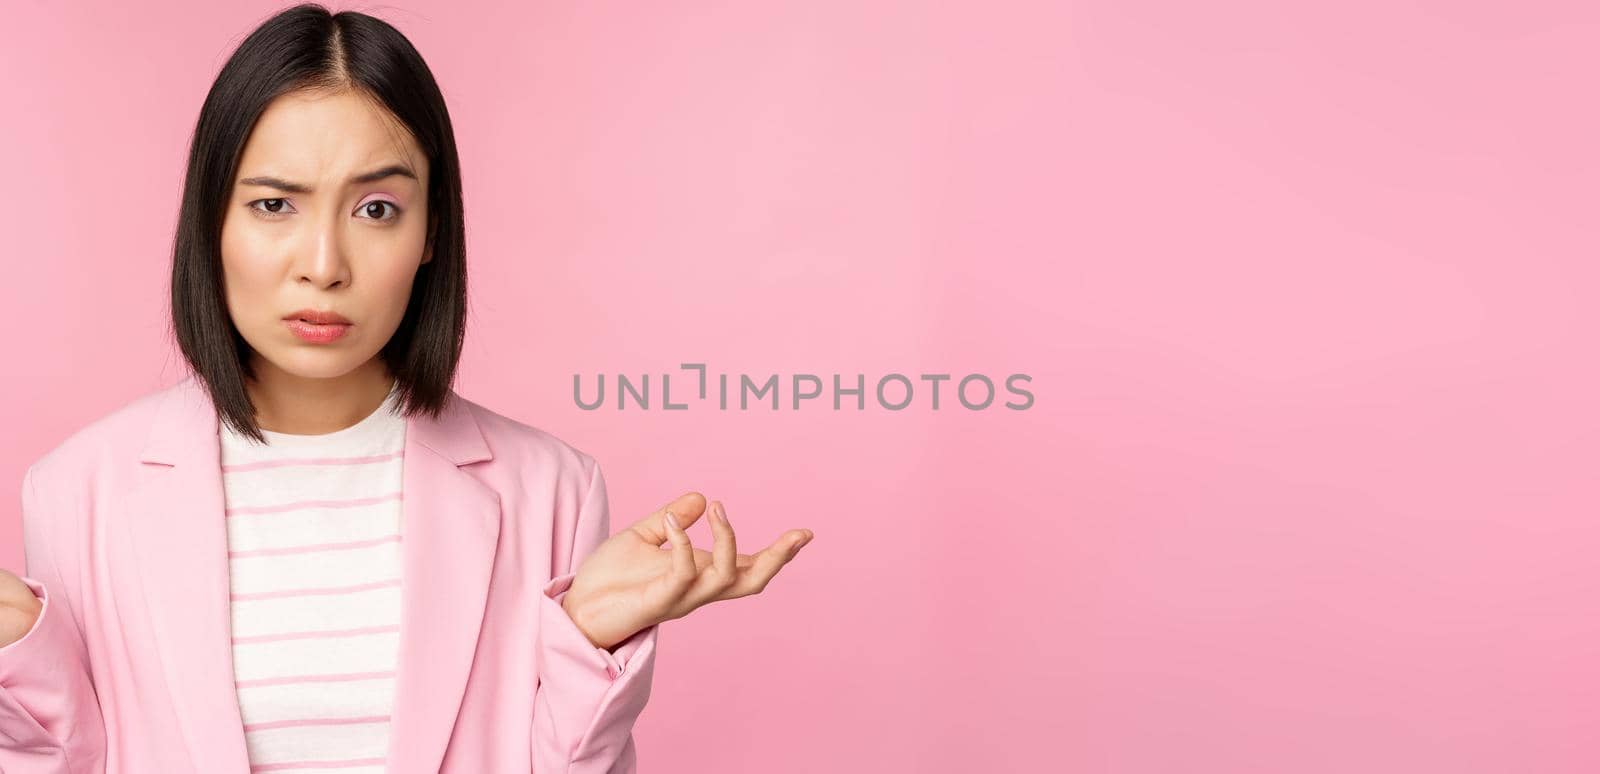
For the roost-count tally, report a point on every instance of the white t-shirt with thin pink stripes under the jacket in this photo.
(314, 562)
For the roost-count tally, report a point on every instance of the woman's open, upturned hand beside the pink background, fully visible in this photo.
(630, 583)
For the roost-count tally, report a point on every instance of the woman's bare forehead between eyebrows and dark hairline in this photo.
(326, 138)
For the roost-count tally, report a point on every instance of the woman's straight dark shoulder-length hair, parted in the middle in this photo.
(308, 47)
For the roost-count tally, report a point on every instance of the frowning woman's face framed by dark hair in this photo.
(329, 213)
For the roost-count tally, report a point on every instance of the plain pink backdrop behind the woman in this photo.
(1306, 295)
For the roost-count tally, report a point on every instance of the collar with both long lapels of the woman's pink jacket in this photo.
(450, 525)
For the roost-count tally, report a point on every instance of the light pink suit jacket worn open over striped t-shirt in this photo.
(130, 664)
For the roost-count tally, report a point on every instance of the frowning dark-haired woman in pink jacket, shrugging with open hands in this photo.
(313, 554)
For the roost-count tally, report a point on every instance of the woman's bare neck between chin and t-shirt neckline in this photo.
(290, 404)
